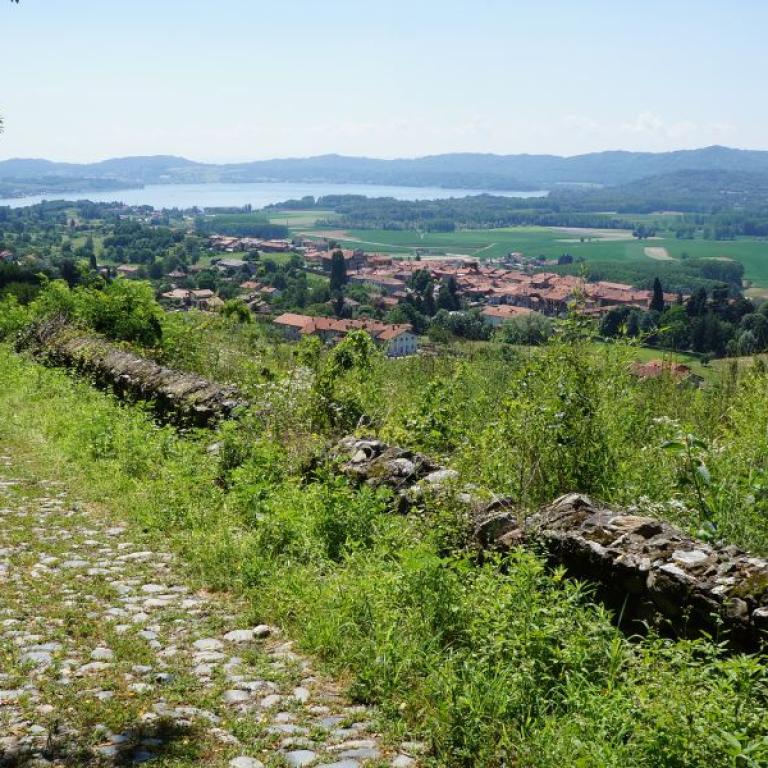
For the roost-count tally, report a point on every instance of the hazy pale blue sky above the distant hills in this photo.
(244, 79)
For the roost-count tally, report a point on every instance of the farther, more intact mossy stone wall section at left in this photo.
(183, 398)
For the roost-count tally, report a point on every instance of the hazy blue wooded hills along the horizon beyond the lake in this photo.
(475, 171)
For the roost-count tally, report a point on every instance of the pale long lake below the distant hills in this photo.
(258, 194)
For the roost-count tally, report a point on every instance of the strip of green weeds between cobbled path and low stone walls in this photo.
(492, 665)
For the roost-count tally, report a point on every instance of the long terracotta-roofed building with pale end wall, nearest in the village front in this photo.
(395, 340)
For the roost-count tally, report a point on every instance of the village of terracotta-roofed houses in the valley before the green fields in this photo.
(498, 290)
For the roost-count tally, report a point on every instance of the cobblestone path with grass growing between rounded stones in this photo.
(107, 657)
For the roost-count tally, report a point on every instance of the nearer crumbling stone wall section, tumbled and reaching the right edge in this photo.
(646, 569)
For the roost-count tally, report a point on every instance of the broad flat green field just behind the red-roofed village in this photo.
(551, 243)
